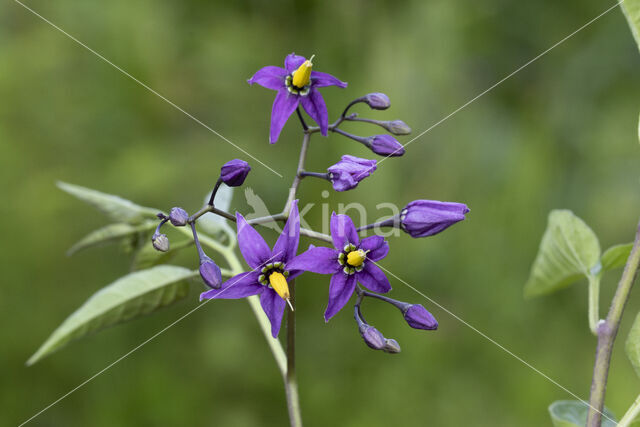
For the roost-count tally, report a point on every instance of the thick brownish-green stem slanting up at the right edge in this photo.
(607, 331)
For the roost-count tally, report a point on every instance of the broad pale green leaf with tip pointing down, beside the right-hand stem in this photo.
(569, 250)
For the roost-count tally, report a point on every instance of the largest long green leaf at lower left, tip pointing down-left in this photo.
(130, 296)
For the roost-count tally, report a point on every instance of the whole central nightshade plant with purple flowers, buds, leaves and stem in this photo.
(268, 282)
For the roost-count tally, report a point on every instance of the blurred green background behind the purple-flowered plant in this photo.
(560, 134)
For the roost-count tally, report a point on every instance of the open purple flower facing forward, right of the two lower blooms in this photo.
(352, 261)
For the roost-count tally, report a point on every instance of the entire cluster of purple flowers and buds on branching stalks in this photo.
(351, 262)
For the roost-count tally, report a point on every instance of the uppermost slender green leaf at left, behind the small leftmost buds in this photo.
(116, 208)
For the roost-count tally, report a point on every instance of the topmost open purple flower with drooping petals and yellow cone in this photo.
(296, 84)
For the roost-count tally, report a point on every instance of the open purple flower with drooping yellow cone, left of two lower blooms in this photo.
(270, 269)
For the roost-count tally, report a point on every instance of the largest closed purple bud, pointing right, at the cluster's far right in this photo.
(422, 218)
